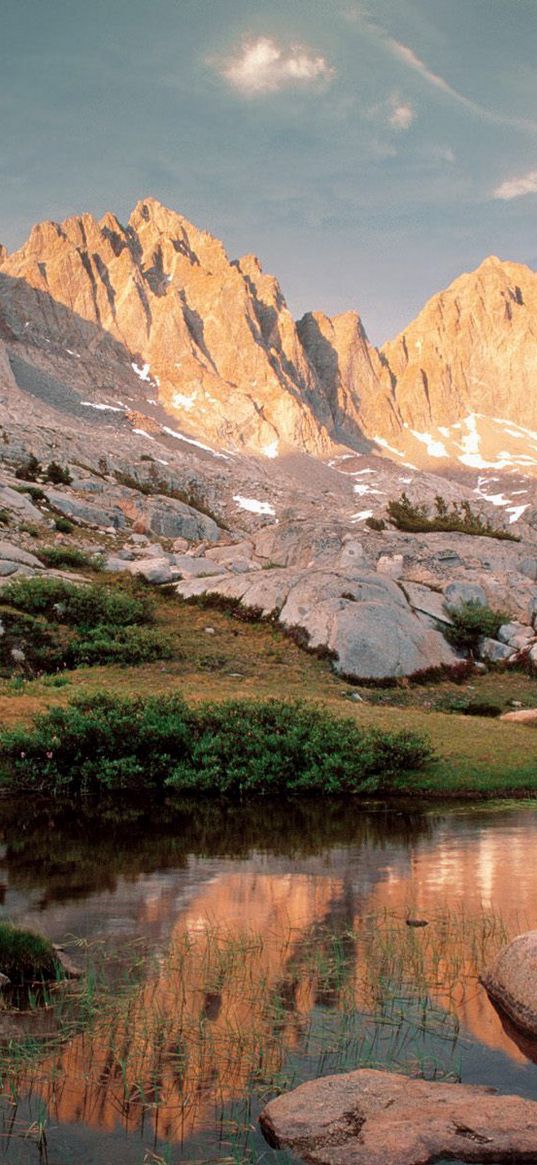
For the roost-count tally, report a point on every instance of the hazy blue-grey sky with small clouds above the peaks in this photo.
(368, 152)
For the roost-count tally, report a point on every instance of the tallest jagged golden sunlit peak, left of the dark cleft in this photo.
(213, 340)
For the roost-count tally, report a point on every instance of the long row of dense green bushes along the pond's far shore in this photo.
(103, 744)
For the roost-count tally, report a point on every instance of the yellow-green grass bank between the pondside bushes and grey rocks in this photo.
(215, 659)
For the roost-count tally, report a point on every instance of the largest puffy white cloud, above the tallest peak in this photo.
(265, 67)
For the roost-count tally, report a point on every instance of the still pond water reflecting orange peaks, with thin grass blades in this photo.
(235, 952)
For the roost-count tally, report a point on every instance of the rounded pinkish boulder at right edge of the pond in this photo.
(512, 980)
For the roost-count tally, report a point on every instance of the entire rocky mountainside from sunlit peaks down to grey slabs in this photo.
(209, 442)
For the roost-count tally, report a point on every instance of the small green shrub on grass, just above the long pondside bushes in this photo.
(119, 645)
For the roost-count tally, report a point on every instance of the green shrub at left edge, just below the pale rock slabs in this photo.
(79, 605)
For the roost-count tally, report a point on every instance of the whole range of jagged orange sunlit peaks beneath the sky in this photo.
(156, 313)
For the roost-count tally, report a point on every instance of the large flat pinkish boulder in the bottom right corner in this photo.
(370, 1118)
